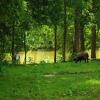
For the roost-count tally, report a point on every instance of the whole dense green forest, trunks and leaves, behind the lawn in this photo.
(64, 26)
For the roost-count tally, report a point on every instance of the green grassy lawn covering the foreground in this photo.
(62, 81)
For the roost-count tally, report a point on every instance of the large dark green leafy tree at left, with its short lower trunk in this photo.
(13, 15)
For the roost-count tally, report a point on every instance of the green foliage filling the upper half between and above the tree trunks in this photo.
(37, 18)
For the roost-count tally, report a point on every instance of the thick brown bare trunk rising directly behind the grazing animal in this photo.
(78, 42)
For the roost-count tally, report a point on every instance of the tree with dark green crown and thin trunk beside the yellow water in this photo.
(48, 13)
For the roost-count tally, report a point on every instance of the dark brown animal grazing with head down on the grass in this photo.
(81, 56)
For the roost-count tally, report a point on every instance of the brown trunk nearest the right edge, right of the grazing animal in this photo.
(93, 42)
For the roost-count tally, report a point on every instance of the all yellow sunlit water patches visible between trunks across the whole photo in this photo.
(44, 56)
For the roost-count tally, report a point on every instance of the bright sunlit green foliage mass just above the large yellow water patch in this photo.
(40, 37)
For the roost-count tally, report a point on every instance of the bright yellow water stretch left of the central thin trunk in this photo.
(37, 56)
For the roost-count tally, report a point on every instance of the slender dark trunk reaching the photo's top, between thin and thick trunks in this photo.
(65, 32)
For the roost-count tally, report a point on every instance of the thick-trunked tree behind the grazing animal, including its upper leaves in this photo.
(81, 19)
